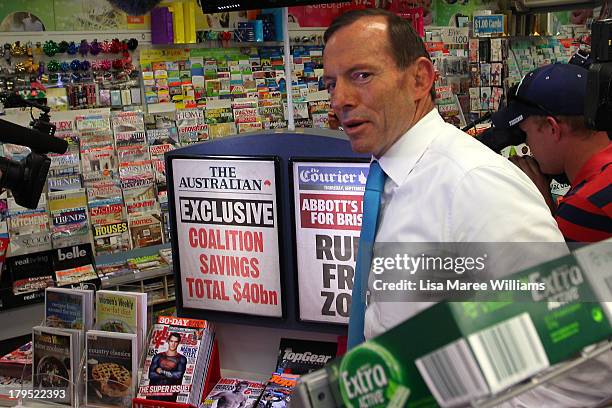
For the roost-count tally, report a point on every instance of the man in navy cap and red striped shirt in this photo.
(548, 105)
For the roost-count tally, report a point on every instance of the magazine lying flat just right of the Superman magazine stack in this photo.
(233, 392)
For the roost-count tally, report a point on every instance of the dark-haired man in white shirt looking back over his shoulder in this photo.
(441, 185)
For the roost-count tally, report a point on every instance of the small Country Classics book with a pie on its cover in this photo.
(112, 368)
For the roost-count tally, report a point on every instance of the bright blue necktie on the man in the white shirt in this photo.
(371, 208)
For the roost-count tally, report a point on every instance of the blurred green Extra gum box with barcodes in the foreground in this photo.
(457, 352)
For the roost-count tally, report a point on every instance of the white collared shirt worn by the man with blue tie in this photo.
(445, 186)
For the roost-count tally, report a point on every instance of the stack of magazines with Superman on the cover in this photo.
(177, 360)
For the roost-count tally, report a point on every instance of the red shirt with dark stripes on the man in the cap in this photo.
(585, 213)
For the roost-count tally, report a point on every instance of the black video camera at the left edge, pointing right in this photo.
(26, 178)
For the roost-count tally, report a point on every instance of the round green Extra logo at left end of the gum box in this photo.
(371, 377)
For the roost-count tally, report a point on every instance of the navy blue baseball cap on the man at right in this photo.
(555, 89)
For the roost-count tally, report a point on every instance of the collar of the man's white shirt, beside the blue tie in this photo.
(404, 154)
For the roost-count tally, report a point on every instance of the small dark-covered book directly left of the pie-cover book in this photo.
(54, 363)
